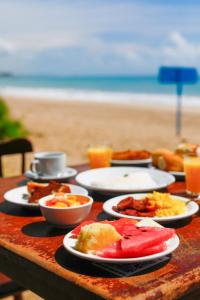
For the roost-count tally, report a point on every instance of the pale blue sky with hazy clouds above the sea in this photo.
(98, 37)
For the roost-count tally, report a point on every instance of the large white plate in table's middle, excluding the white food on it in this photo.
(87, 178)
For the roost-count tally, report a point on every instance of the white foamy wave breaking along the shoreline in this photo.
(56, 94)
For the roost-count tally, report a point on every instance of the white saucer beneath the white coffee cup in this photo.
(66, 174)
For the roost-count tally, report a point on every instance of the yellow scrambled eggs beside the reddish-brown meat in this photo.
(165, 205)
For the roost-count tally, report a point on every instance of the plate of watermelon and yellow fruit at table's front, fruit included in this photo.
(121, 241)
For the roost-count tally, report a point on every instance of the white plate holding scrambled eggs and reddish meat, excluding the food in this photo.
(192, 208)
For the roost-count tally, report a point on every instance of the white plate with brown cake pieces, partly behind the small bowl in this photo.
(29, 195)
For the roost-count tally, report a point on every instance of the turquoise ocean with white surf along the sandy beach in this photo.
(116, 89)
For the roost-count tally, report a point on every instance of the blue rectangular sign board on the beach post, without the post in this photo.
(176, 75)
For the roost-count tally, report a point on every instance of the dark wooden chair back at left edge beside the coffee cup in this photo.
(16, 146)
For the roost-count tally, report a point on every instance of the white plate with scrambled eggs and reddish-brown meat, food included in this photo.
(161, 207)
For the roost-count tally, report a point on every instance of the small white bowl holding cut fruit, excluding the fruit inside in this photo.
(65, 216)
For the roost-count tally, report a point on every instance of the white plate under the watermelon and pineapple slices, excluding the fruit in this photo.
(69, 244)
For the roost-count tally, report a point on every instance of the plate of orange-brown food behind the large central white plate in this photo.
(131, 157)
